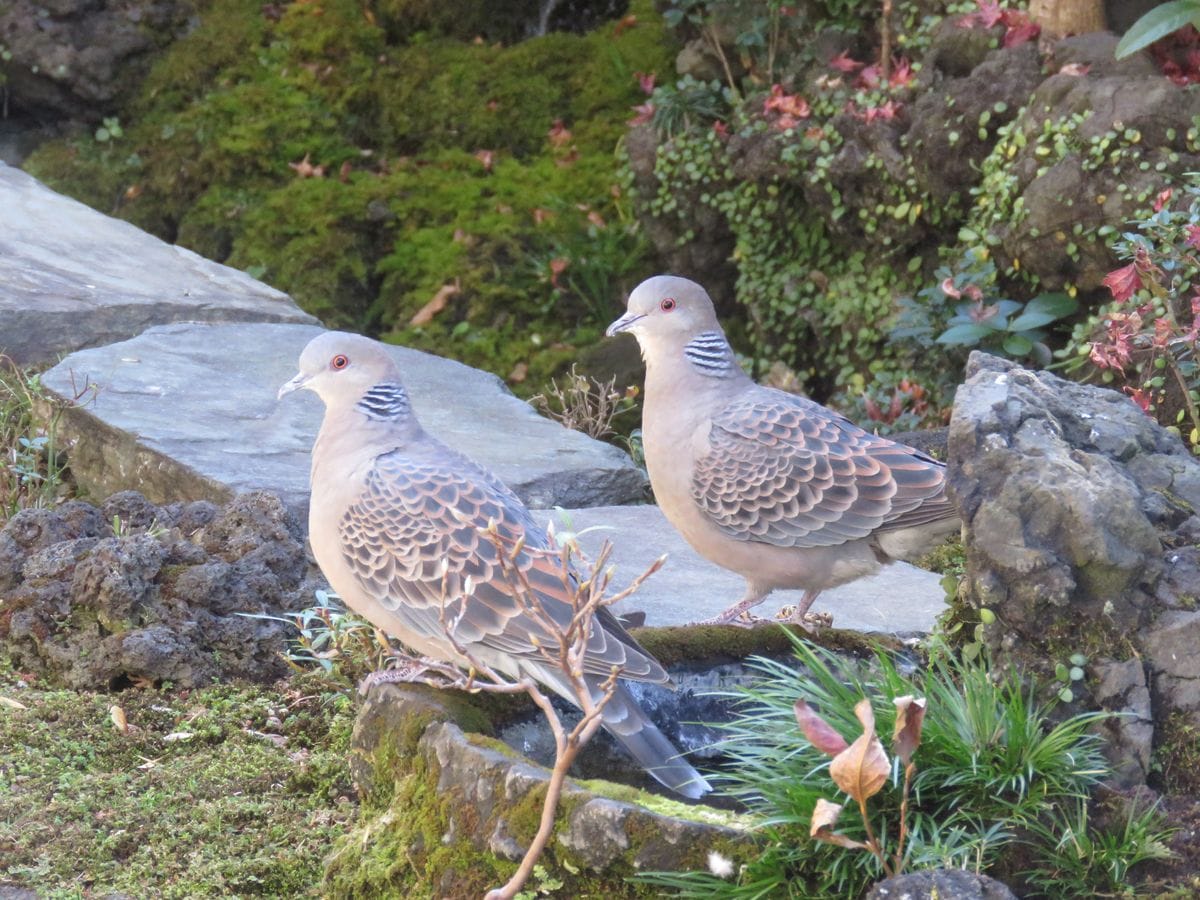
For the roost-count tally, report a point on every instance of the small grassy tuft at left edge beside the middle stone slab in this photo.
(33, 466)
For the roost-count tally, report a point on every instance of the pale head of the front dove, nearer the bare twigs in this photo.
(343, 369)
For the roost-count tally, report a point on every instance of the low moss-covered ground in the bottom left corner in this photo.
(233, 790)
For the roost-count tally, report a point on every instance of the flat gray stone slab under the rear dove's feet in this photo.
(901, 599)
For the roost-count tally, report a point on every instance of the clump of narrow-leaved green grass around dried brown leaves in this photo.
(992, 767)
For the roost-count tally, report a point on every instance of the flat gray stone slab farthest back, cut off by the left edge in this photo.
(74, 278)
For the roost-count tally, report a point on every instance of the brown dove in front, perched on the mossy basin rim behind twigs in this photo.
(397, 515)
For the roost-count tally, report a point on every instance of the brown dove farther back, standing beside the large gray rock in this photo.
(770, 485)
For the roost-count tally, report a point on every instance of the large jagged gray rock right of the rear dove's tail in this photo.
(1081, 535)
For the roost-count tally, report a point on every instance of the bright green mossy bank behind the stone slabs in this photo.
(403, 206)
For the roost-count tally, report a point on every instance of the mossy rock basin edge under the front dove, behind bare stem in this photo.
(451, 814)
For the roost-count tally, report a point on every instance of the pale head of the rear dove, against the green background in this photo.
(667, 310)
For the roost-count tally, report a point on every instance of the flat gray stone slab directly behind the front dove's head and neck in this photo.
(189, 412)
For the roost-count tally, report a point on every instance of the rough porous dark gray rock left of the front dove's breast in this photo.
(164, 599)
